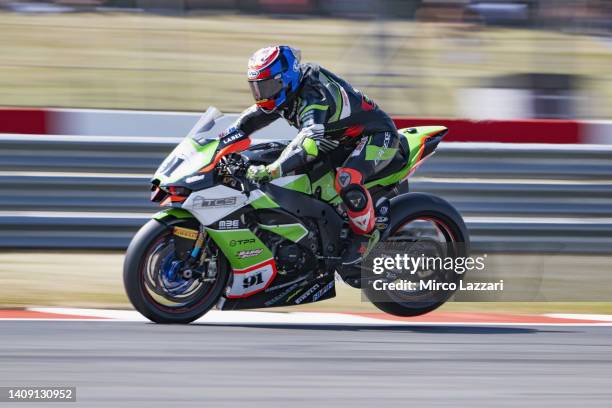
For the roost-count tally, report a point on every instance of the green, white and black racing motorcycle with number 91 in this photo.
(222, 240)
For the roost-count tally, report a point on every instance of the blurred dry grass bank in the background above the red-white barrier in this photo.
(152, 62)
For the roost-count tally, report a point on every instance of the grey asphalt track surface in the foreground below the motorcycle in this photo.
(140, 364)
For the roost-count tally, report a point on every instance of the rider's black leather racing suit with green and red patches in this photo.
(329, 112)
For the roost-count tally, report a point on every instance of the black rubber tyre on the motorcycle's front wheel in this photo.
(136, 289)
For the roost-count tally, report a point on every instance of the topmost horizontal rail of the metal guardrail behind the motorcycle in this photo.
(455, 160)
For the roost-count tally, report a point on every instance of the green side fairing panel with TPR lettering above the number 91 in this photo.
(233, 243)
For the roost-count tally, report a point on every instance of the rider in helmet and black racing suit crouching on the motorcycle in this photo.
(329, 113)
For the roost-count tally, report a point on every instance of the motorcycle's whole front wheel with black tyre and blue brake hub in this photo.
(155, 280)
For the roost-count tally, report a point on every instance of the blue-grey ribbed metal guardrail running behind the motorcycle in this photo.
(66, 191)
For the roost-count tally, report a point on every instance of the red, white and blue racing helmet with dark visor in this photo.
(274, 76)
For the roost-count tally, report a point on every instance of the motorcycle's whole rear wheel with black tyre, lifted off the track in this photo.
(425, 226)
